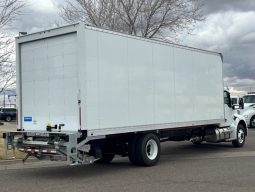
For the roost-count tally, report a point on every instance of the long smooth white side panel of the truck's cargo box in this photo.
(132, 83)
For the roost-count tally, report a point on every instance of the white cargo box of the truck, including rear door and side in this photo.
(123, 83)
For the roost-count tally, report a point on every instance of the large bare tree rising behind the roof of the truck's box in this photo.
(146, 18)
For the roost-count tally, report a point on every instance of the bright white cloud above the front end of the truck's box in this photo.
(221, 30)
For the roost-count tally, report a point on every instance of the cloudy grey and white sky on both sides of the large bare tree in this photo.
(229, 29)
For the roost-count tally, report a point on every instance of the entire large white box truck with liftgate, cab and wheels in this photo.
(87, 94)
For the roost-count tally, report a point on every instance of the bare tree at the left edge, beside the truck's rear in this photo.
(9, 10)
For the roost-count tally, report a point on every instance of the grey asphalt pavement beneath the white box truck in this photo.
(182, 167)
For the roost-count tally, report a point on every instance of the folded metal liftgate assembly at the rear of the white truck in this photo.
(72, 147)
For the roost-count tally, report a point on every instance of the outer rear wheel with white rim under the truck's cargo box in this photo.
(148, 150)
